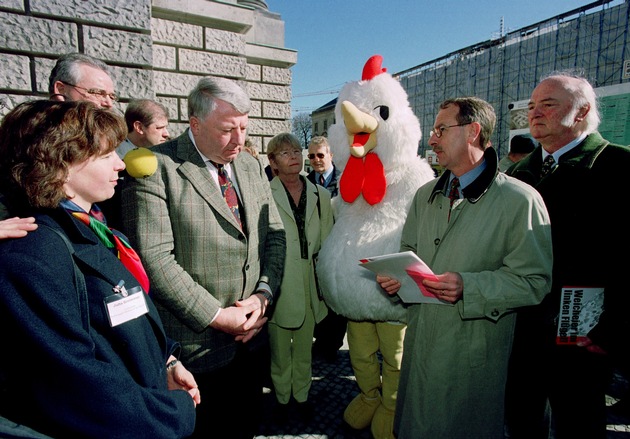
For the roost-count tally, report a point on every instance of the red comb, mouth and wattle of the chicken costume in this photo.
(365, 175)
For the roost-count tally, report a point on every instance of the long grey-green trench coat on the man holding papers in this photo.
(455, 357)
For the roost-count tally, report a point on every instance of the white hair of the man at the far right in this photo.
(583, 94)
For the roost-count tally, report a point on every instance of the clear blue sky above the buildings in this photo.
(334, 38)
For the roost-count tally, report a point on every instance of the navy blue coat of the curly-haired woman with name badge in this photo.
(68, 381)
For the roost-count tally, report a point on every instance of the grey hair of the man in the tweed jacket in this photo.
(201, 100)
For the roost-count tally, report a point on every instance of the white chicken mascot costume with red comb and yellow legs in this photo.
(375, 141)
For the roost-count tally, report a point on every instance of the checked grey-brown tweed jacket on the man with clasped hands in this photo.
(197, 257)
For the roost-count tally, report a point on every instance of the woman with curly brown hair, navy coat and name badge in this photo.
(88, 354)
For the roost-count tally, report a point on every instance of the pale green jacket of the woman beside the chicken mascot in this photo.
(290, 307)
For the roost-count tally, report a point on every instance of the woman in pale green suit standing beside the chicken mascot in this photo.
(307, 216)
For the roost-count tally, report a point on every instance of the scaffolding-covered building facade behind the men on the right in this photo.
(592, 40)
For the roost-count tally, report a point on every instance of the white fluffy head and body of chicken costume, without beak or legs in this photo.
(362, 230)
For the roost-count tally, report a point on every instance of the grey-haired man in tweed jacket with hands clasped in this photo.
(212, 278)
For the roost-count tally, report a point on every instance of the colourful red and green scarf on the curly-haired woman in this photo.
(118, 242)
